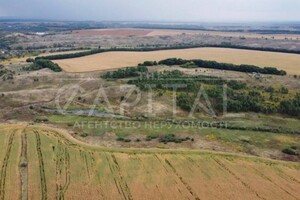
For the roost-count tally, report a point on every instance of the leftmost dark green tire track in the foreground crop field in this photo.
(4, 165)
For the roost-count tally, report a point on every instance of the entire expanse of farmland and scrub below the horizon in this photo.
(87, 118)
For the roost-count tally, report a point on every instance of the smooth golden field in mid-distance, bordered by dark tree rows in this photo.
(112, 60)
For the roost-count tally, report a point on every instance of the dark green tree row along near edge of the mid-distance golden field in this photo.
(217, 65)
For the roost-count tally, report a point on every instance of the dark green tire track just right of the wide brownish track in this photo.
(41, 166)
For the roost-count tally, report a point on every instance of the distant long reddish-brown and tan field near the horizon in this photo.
(166, 32)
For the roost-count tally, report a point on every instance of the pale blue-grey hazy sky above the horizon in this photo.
(154, 10)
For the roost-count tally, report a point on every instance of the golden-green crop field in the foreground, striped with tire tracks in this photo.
(58, 166)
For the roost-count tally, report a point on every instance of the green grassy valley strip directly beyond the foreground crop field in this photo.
(260, 143)
